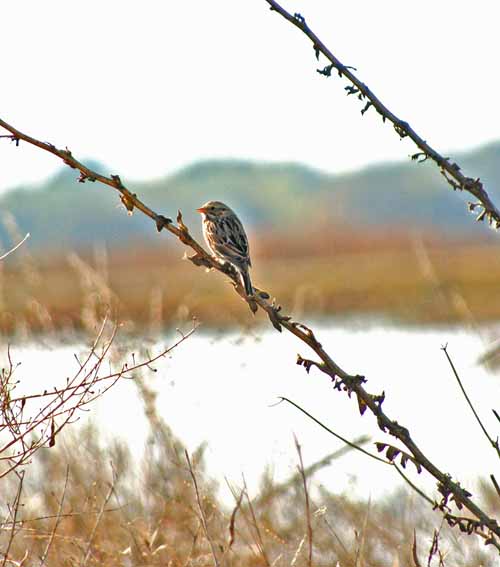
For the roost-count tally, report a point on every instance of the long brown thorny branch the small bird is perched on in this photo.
(342, 381)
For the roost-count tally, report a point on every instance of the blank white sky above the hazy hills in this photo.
(148, 87)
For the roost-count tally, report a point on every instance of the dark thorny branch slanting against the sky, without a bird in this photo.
(450, 170)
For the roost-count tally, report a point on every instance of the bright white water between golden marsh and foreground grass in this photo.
(223, 389)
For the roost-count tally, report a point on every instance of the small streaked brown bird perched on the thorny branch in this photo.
(226, 238)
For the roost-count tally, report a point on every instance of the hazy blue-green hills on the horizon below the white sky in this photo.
(63, 214)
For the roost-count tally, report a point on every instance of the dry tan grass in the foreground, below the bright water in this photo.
(83, 504)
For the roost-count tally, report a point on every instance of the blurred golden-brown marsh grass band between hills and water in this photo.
(390, 275)
